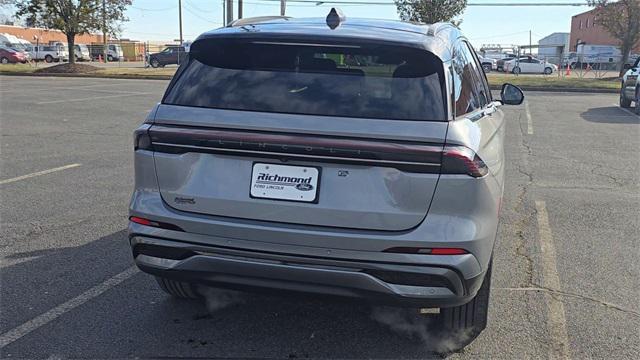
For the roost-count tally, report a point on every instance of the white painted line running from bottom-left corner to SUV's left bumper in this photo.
(45, 318)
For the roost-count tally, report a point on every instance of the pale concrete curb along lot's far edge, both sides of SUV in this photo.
(169, 77)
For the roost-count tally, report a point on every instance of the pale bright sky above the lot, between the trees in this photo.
(157, 20)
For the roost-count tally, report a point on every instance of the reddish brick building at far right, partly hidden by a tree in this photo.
(585, 29)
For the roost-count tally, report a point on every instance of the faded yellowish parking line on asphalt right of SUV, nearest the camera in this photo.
(556, 320)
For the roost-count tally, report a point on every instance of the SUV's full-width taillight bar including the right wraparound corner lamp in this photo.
(406, 156)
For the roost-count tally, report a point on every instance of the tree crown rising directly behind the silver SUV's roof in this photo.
(430, 11)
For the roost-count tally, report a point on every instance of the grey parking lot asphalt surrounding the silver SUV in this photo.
(566, 272)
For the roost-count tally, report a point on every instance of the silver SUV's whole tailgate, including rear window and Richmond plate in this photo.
(361, 126)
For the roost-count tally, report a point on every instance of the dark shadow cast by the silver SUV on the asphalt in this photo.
(141, 321)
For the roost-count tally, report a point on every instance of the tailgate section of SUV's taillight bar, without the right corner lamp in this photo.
(422, 157)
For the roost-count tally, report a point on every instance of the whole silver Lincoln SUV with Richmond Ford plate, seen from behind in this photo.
(357, 158)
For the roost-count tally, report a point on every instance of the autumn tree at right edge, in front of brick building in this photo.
(622, 20)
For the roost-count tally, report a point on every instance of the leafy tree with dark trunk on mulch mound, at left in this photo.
(74, 17)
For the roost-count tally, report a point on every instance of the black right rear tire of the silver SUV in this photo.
(464, 323)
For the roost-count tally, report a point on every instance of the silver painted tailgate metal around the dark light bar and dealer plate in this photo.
(203, 176)
